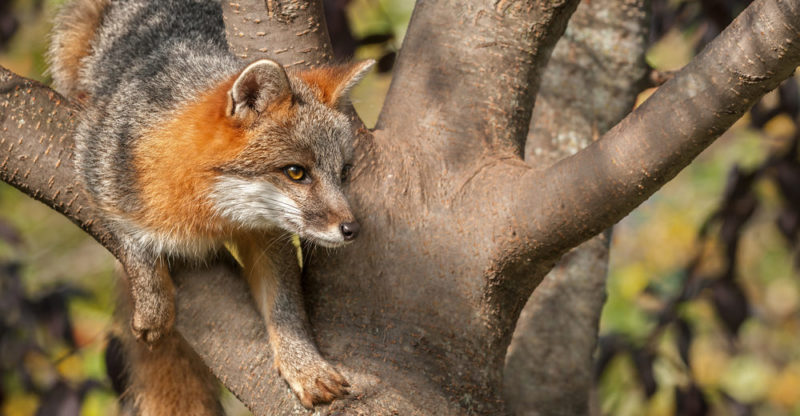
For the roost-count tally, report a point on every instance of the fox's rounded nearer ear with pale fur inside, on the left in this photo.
(259, 84)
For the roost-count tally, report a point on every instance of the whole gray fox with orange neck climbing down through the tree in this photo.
(184, 148)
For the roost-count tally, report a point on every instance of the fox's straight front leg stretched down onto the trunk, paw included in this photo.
(273, 274)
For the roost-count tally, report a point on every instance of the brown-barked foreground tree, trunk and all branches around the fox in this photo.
(457, 228)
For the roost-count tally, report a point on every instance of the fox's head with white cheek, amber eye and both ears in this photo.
(298, 152)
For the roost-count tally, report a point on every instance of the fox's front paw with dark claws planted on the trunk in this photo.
(315, 382)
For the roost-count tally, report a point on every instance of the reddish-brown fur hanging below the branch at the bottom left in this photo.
(169, 379)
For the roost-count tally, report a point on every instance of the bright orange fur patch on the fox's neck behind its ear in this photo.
(176, 162)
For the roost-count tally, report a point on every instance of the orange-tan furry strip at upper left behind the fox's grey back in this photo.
(73, 30)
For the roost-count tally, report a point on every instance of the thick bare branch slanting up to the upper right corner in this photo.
(595, 188)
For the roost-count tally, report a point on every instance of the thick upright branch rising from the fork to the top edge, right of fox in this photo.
(468, 74)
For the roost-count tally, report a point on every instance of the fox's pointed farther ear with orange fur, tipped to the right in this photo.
(332, 84)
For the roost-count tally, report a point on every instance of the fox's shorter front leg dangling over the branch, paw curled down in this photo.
(152, 293)
